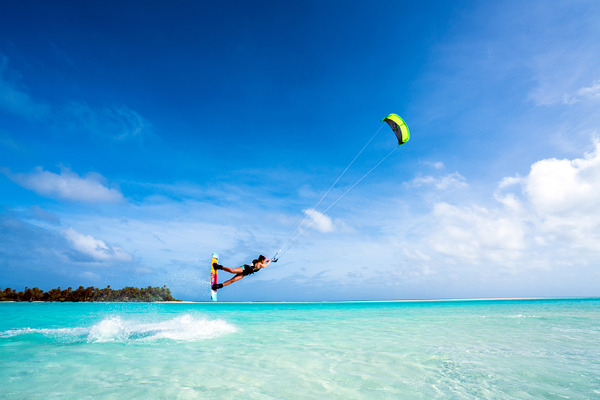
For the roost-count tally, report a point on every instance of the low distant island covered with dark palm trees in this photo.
(89, 294)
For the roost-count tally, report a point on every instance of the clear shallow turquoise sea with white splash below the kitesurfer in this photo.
(521, 349)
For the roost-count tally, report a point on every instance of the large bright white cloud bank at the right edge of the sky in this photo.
(551, 213)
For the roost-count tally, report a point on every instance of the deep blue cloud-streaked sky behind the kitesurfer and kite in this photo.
(138, 138)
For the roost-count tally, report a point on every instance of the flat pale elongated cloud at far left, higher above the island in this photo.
(67, 186)
